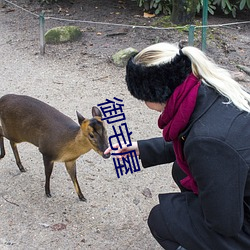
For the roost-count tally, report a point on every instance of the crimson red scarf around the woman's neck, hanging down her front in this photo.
(174, 119)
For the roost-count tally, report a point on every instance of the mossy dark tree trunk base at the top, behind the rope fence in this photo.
(183, 11)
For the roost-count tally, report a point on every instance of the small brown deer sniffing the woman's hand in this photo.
(59, 138)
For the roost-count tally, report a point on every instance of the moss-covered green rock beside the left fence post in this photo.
(63, 34)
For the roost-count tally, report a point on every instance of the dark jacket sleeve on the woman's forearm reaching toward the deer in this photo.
(155, 151)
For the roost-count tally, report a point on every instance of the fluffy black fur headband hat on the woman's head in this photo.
(156, 83)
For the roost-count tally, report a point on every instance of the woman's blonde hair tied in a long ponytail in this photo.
(202, 67)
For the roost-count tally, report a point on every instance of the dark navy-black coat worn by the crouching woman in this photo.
(216, 145)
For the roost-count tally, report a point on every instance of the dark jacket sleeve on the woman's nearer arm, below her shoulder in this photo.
(220, 173)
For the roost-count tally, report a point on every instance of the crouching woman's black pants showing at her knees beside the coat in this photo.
(156, 222)
